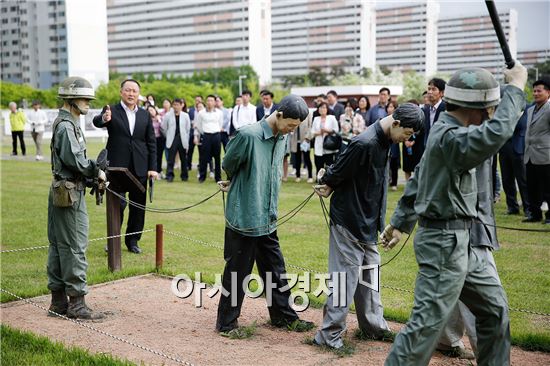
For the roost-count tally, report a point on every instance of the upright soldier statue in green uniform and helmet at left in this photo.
(67, 214)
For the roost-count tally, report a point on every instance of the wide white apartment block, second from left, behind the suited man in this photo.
(181, 37)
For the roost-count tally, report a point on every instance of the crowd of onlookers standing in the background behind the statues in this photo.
(208, 125)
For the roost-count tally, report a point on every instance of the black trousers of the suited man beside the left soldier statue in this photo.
(136, 216)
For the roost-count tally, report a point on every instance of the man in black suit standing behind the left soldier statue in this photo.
(131, 145)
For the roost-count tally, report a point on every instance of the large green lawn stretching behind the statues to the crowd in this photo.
(522, 261)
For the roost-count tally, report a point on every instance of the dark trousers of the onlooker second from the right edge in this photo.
(513, 170)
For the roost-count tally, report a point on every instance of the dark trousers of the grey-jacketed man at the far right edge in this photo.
(538, 188)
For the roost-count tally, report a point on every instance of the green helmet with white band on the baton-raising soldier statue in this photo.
(472, 87)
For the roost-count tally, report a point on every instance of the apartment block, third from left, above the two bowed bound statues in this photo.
(321, 33)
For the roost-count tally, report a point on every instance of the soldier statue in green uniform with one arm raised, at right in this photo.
(443, 198)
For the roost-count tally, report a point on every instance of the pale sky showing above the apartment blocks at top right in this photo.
(533, 17)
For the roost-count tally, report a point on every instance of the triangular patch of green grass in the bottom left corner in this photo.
(23, 348)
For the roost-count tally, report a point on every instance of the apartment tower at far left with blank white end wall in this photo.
(43, 42)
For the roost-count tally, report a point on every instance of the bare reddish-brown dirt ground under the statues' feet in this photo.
(147, 313)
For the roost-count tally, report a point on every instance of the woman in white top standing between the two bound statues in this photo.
(323, 125)
